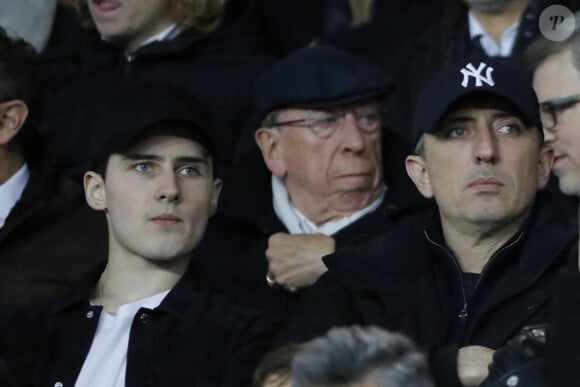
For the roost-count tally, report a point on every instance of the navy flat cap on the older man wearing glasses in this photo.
(318, 77)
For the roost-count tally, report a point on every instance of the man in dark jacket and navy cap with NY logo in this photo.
(462, 282)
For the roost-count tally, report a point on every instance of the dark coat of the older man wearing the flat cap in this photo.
(234, 246)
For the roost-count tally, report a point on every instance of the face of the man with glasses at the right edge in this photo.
(556, 78)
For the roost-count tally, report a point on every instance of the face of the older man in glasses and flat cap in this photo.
(328, 173)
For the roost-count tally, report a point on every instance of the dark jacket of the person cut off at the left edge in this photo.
(51, 237)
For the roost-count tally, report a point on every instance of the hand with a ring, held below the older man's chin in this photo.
(295, 260)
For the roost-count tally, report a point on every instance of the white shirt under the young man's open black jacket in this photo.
(106, 362)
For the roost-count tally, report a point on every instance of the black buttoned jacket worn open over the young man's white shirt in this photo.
(195, 337)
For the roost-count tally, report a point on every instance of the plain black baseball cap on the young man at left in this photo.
(133, 110)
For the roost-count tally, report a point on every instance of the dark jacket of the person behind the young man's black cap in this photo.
(217, 68)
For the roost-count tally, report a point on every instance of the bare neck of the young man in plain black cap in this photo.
(125, 281)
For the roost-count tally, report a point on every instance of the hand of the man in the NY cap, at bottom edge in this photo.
(472, 364)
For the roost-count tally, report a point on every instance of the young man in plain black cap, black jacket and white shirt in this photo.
(141, 320)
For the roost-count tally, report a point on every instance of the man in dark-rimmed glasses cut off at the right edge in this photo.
(550, 357)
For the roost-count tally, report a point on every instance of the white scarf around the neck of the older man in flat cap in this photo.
(297, 223)
